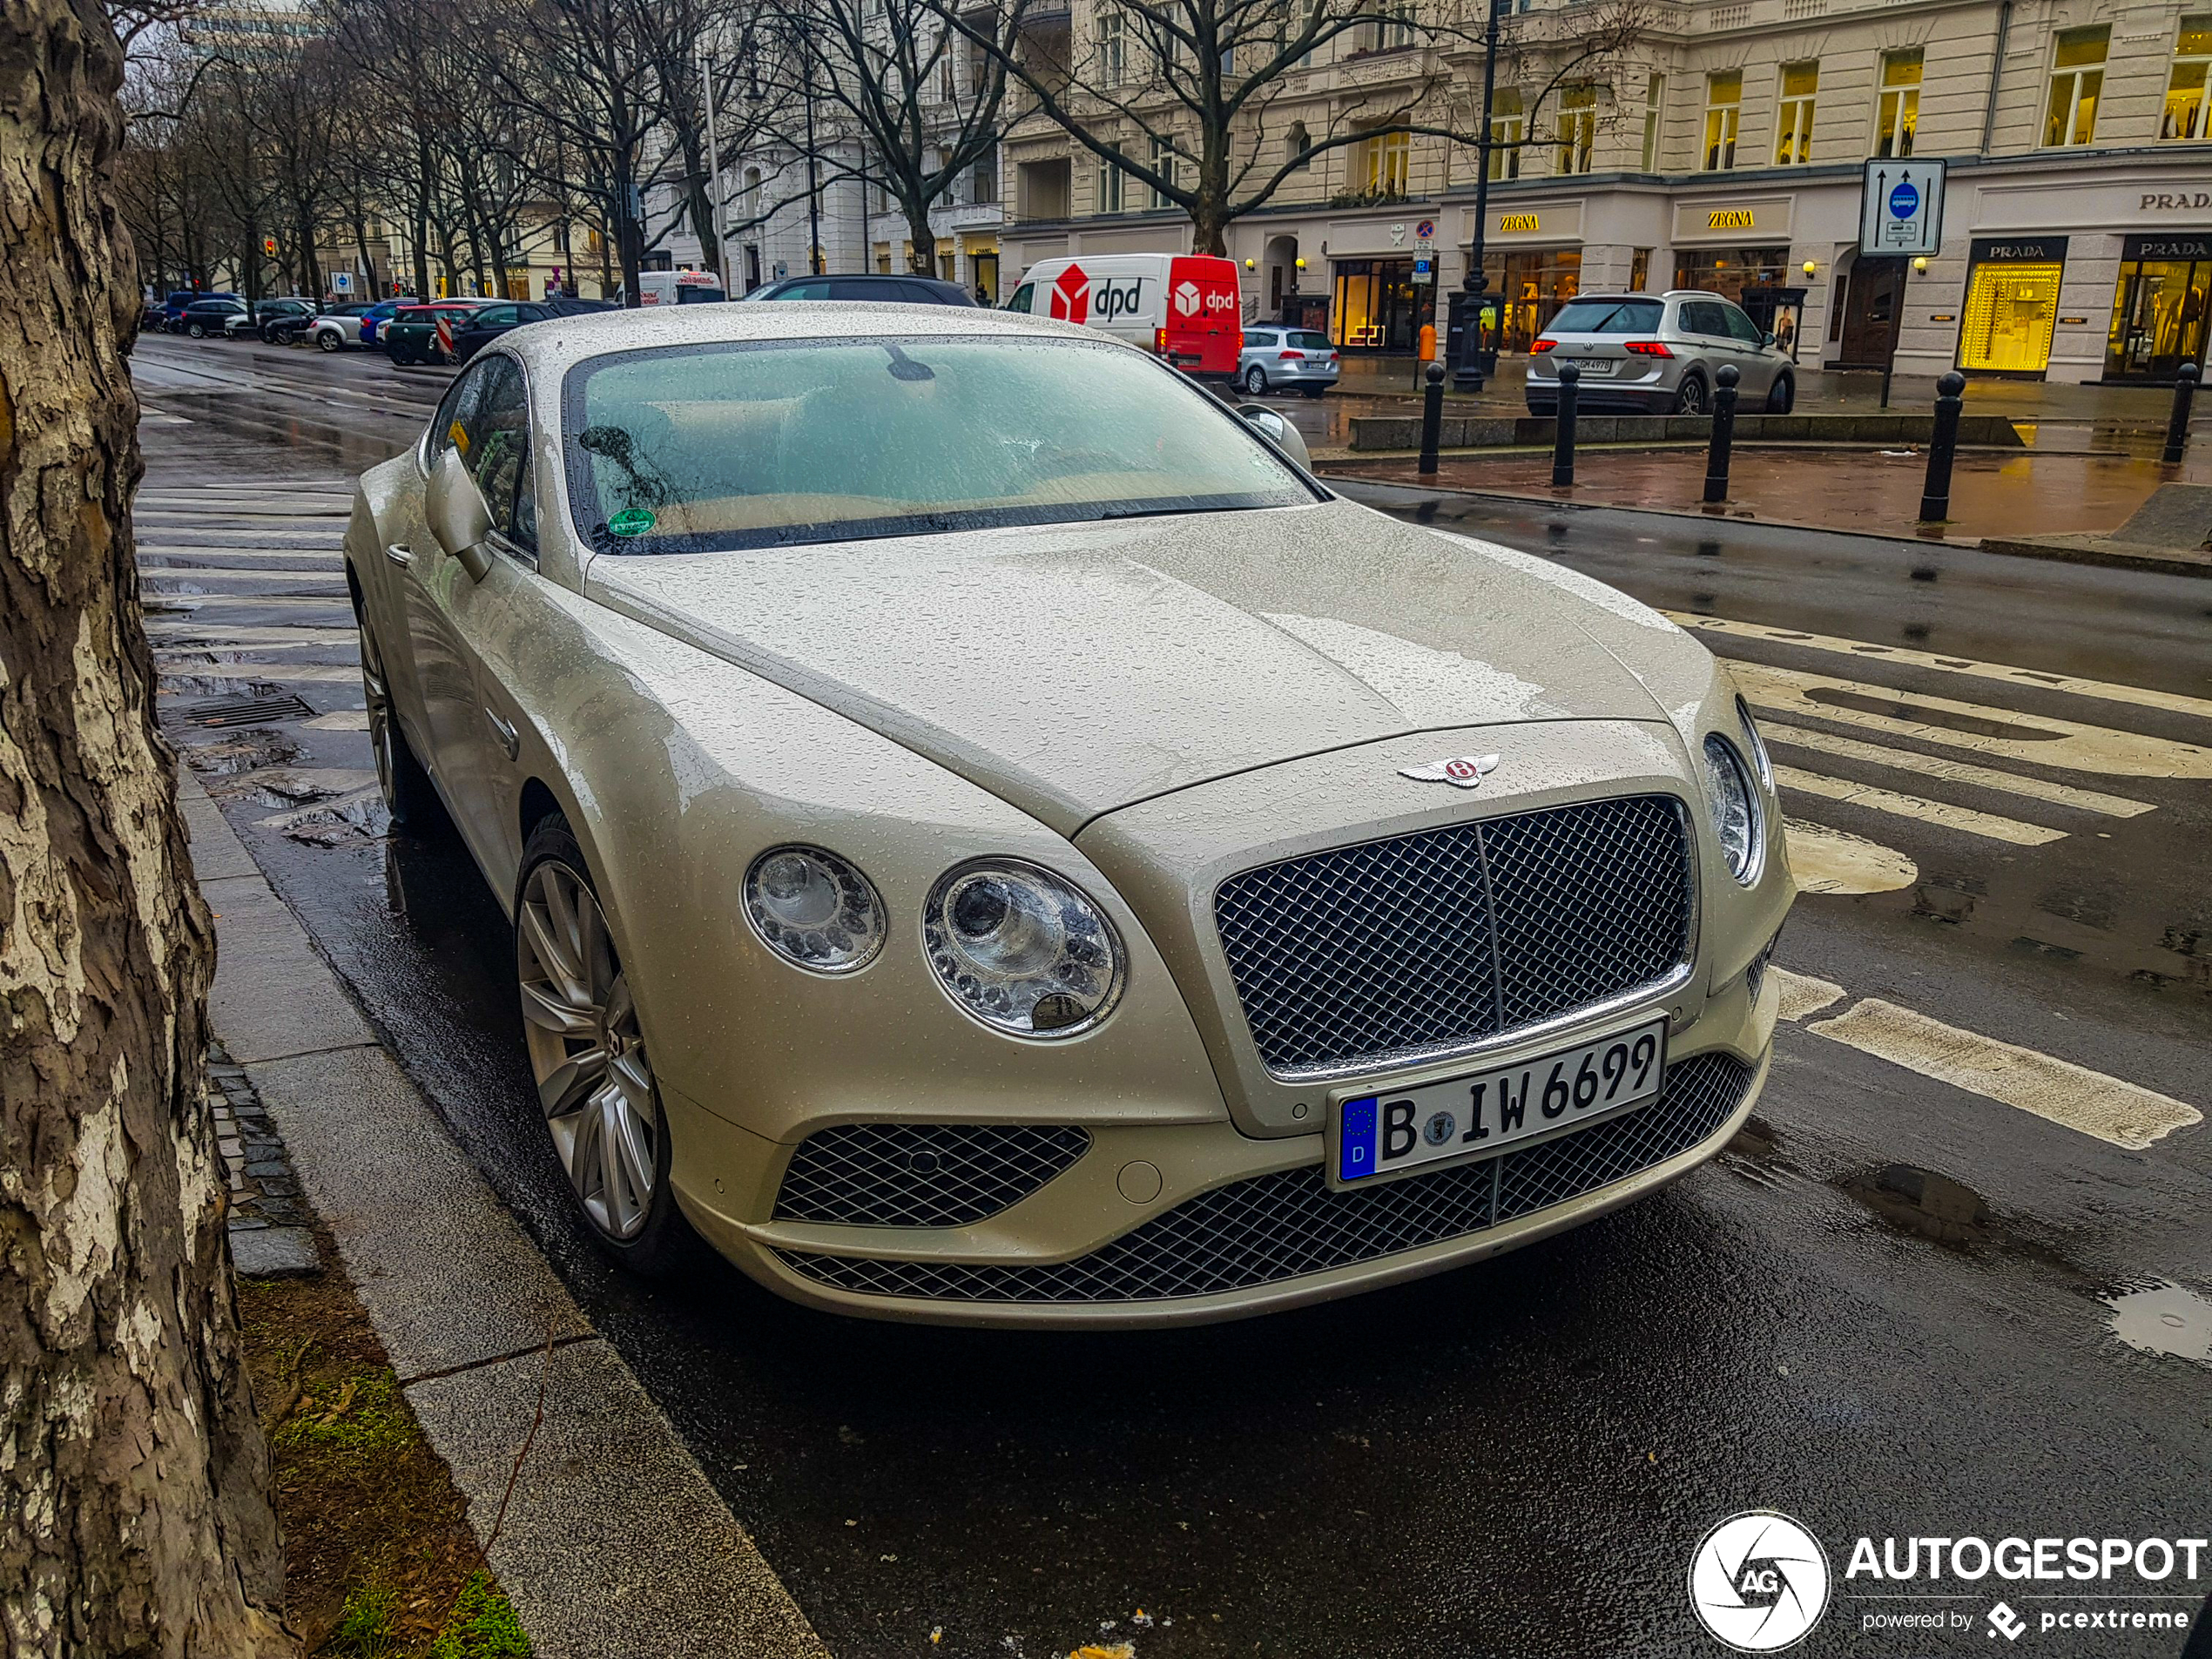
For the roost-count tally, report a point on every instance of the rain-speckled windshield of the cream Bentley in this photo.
(709, 448)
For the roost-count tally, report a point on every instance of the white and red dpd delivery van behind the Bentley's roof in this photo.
(1185, 309)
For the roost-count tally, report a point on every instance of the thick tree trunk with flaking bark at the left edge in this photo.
(134, 1479)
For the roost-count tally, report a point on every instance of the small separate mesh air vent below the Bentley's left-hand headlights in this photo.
(924, 1176)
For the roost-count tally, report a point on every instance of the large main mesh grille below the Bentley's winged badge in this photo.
(1448, 941)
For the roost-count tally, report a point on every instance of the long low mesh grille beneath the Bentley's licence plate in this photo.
(1288, 1224)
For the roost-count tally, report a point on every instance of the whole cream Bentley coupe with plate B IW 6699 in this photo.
(992, 839)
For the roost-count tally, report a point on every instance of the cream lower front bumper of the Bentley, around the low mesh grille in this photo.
(1171, 1224)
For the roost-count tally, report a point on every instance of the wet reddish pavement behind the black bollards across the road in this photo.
(1994, 494)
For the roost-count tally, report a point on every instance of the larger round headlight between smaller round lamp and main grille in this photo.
(1021, 950)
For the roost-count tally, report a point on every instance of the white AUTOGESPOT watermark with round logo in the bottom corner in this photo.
(1760, 1583)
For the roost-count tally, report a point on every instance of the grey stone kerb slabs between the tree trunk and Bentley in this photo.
(614, 1541)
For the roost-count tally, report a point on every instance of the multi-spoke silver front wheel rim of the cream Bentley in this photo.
(587, 1052)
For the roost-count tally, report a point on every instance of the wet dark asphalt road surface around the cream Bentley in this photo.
(1516, 1459)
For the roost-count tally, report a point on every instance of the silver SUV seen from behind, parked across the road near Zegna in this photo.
(1658, 355)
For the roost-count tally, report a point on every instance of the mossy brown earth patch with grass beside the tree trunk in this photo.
(379, 1556)
